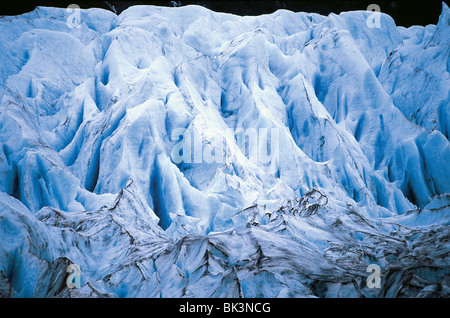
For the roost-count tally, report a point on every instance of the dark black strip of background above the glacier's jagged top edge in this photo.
(405, 13)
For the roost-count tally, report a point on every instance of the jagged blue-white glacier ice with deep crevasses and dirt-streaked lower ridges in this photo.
(362, 175)
